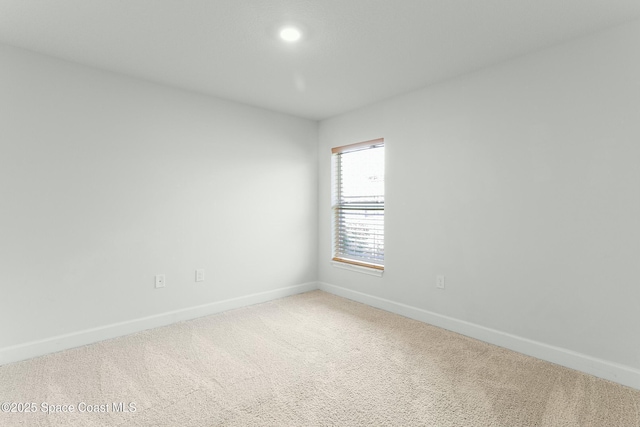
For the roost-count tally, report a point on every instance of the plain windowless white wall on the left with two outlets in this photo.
(106, 181)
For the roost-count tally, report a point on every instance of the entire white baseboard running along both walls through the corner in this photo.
(611, 371)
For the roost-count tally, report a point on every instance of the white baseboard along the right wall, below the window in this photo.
(611, 371)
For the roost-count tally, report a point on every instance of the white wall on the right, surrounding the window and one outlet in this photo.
(520, 183)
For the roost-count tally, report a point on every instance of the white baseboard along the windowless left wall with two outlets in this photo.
(77, 339)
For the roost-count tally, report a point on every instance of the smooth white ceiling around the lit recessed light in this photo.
(353, 52)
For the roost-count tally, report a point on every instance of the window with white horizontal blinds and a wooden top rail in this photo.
(358, 204)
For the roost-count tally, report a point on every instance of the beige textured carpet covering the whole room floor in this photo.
(309, 360)
